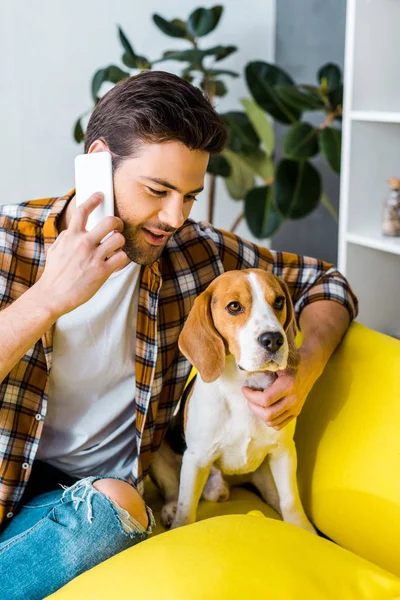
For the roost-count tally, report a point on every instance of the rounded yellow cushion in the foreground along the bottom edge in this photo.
(234, 557)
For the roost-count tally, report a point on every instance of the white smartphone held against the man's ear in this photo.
(93, 173)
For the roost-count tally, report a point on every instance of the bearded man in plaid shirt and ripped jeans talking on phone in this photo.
(90, 368)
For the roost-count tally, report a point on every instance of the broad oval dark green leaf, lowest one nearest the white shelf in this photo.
(297, 188)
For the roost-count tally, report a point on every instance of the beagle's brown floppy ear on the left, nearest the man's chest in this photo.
(200, 342)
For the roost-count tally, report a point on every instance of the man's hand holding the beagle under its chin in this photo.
(283, 401)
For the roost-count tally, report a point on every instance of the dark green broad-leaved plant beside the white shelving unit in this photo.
(294, 189)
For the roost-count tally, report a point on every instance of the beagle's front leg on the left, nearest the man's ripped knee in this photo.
(194, 475)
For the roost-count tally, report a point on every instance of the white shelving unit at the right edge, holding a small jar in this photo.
(370, 155)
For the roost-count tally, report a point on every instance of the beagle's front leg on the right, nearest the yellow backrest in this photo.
(283, 463)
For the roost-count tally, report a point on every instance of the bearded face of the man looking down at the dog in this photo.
(154, 194)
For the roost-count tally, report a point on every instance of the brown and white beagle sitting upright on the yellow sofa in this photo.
(240, 331)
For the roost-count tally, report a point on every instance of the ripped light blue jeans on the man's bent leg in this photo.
(58, 535)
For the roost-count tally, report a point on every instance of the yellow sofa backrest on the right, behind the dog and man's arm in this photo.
(348, 446)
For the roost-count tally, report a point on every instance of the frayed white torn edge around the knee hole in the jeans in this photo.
(129, 524)
